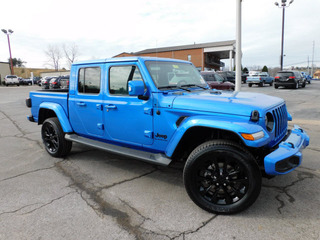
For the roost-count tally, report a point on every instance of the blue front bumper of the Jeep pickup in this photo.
(288, 155)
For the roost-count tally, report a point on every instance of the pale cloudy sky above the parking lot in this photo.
(102, 29)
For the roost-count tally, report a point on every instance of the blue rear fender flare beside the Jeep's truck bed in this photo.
(61, 115)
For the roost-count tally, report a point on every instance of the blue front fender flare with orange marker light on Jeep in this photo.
(226, 124)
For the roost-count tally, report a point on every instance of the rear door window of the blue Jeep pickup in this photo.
(89, 80)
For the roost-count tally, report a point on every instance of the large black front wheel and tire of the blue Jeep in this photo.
(222, 177)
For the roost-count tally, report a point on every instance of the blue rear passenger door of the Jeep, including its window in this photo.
(85, 101)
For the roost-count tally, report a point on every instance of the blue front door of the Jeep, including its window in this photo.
(128, 119)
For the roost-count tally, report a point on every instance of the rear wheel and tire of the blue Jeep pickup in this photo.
(53, 138)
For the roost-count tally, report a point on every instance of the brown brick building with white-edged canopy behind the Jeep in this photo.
(203, 56)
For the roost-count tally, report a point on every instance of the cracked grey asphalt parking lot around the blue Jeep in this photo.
(92, 194)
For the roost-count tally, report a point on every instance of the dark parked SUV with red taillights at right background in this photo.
(293, 79)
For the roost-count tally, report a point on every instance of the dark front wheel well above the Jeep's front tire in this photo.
(198, 135)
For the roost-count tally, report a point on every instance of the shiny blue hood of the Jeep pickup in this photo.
(235, 103)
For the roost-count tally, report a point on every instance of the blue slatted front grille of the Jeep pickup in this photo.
(281, 122)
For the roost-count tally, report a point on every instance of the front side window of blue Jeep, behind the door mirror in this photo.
(119, 76)
